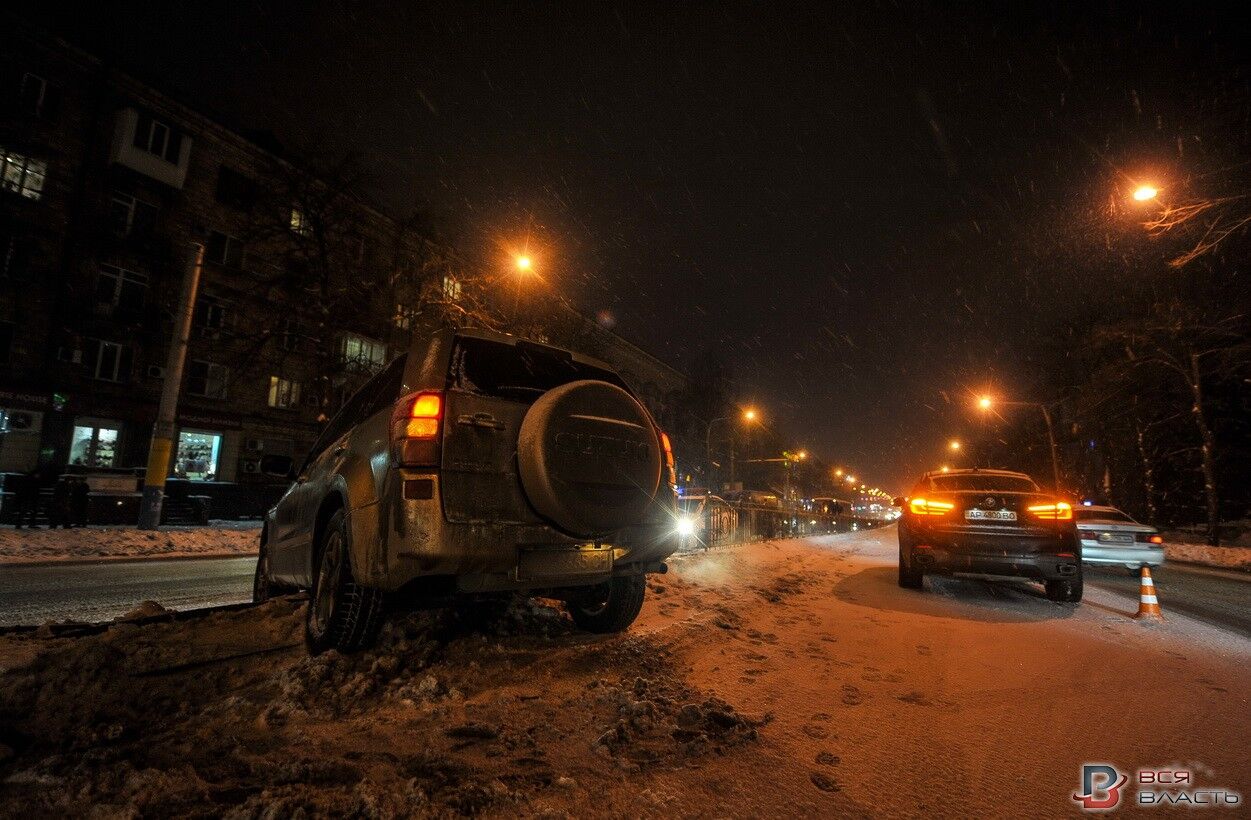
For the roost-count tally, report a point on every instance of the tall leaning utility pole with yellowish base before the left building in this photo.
(163, 431)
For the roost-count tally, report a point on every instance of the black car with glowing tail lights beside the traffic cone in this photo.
(989, 523)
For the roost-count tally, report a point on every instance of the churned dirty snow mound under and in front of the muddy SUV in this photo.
(497, 708)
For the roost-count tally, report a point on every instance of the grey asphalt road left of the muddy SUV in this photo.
(103, 592)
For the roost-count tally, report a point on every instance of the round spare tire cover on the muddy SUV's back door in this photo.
(590, 458)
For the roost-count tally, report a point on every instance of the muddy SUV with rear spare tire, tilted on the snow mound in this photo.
(476, 464)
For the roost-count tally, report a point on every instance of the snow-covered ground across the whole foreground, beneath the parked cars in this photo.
(780, 679)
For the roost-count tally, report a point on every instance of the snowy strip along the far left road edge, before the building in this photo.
(87, 544)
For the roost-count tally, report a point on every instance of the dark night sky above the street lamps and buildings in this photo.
(866, 210)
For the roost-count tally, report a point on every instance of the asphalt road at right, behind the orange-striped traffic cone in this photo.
(1218, 598)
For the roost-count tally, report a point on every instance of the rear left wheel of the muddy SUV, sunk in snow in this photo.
(342, 614)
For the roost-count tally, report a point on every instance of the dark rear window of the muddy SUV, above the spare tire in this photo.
(520, 372)
